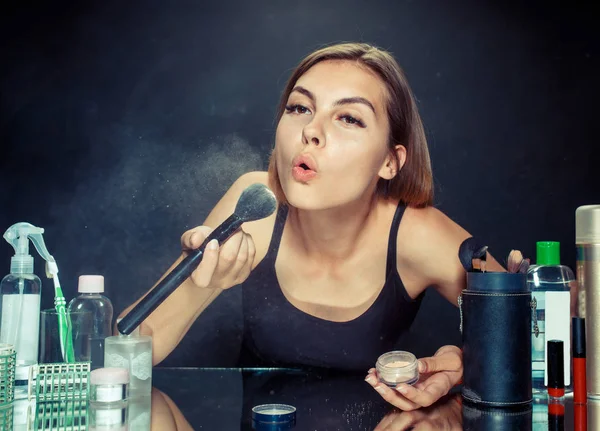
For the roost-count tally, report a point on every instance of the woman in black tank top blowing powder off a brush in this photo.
(336, 275)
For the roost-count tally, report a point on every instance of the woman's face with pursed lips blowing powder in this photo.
(331, 142)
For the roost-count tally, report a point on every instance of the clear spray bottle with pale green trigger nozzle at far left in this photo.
(20, 297)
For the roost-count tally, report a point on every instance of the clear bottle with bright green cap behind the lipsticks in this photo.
(550, 284)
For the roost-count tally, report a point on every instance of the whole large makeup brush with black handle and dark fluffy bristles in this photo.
(255, 202)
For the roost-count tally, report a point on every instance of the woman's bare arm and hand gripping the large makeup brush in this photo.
(221, 268)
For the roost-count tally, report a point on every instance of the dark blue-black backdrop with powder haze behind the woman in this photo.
(123, 122)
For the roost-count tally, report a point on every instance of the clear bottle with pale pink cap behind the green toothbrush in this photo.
(91, 300)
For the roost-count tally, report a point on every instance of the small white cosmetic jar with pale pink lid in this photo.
(109, 385)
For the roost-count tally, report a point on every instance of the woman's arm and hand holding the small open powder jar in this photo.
(430, 241)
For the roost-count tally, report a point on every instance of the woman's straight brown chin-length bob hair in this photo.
(413, 185)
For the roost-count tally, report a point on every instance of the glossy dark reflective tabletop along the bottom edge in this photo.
(222, 399)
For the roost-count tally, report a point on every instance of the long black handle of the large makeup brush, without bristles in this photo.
(178, 275)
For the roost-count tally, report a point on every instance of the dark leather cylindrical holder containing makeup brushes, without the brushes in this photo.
(496, 315)
